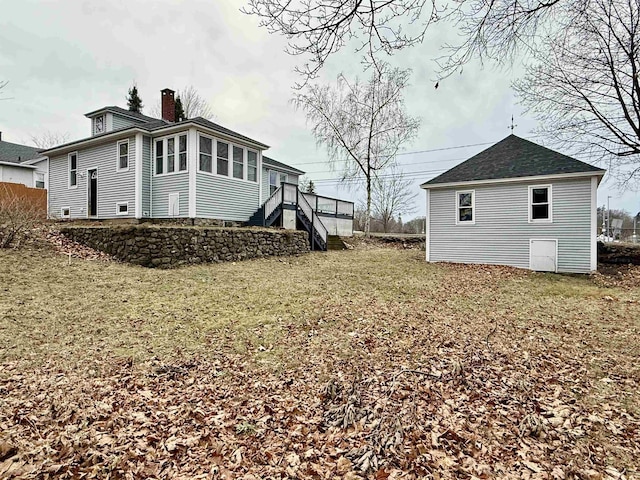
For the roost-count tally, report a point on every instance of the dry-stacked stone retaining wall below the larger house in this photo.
(166, 247)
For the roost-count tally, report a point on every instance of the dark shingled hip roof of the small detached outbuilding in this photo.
(513, 157)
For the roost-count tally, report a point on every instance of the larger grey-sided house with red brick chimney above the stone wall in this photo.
(138, 167)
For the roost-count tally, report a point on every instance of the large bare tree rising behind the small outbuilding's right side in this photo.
(584, 89)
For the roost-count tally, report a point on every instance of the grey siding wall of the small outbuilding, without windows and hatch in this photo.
(502, 231)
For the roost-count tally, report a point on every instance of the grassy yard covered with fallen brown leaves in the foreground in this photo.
(366, 363)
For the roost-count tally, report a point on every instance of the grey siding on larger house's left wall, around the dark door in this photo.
(113, 187)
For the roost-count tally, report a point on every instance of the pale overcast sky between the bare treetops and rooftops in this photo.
(64, 59)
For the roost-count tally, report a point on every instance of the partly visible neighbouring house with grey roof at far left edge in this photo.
(22, 164)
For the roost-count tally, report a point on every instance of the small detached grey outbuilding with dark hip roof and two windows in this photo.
(516, 203)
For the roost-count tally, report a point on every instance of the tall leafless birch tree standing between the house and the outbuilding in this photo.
(361, 124)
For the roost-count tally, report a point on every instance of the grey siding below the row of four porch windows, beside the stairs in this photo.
(226, 198)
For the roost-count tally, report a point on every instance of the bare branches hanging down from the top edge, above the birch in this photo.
(316, 29)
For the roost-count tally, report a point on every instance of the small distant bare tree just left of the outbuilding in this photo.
(392, 196)
